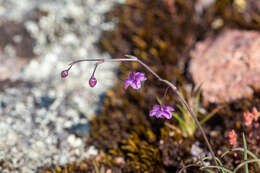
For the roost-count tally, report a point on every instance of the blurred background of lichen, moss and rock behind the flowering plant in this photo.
(208, 48)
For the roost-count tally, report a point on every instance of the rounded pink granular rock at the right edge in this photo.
(227, 66)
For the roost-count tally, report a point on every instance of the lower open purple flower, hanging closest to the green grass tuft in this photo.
(161, 111)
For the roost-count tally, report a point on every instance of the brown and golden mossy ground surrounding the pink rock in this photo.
(127, 138)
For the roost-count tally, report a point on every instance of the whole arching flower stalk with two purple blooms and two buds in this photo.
(134, 80)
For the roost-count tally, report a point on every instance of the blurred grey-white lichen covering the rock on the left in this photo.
(39, 117)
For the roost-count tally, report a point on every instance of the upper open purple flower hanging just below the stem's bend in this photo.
(134, 79)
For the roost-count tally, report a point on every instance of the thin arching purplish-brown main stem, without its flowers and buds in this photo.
(131, 58)
